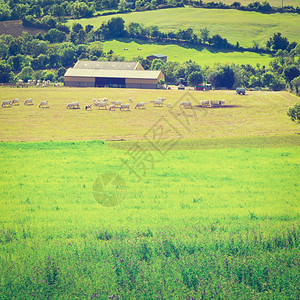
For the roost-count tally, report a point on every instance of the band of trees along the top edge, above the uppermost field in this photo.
(19, 9)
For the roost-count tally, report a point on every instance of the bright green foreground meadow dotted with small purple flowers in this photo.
(199, 224)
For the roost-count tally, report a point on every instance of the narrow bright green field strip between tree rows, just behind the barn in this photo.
(203, 56)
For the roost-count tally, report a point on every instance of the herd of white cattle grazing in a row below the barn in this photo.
(102, 103)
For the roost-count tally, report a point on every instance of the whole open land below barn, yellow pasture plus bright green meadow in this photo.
(108, 205)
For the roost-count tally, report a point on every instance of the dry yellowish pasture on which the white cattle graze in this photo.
(256, 114)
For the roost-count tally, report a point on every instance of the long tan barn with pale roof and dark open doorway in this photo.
(112, 74)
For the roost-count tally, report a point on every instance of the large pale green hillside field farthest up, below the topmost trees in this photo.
(234, 25)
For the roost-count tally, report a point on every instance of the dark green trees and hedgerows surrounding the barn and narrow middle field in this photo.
(42, 55)
